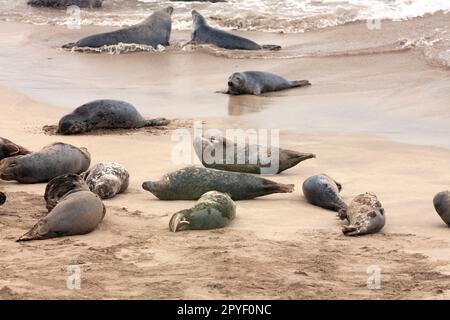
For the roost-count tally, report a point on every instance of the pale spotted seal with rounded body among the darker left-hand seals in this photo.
(107, 179)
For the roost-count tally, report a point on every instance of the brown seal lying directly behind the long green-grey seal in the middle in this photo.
(246, 158)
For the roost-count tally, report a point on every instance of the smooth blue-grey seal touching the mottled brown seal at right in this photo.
(323, 191)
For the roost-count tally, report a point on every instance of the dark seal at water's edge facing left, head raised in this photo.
(202, 33)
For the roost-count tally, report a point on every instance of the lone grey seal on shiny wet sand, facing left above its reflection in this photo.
(257, 82)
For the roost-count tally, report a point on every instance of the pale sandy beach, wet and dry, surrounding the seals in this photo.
(376, 116)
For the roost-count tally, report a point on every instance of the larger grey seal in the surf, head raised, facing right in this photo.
(153, 31)
